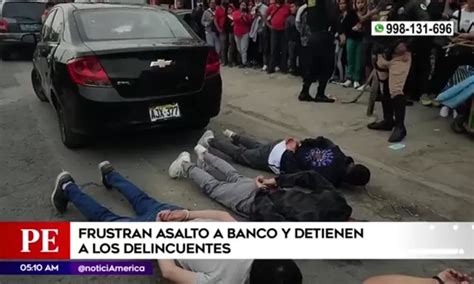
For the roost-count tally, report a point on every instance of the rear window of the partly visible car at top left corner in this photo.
(24, 10)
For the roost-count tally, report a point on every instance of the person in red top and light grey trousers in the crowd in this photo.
(242, 24)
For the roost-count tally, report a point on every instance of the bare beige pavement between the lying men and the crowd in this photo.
(435, 169)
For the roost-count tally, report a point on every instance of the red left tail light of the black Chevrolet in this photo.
(87, 71)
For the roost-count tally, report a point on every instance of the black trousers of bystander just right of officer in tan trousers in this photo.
(418, 78)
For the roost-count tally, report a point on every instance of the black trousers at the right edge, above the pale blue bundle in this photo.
(445, 68)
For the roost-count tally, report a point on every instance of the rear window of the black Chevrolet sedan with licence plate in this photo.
(115, 24)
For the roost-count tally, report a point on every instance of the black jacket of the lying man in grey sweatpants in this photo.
(295, 205)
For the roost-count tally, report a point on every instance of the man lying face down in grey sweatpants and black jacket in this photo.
(301, 196)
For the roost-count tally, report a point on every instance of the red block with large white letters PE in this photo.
(35, 240)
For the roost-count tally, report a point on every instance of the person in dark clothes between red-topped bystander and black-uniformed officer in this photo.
(293, 37)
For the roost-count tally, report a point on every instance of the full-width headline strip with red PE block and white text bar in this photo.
(235, 240)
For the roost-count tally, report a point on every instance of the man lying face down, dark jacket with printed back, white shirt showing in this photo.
(290, 156)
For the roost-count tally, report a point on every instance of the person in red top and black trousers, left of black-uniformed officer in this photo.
(276, 18)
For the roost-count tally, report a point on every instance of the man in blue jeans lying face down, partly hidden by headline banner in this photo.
(150, 210)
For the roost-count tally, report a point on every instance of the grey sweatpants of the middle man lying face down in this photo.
(236, 192)
